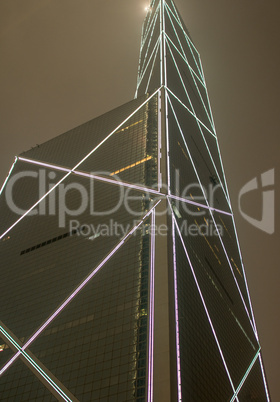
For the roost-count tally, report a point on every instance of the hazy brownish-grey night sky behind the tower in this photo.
(64, 62)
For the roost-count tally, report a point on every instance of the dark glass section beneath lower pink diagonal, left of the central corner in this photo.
(112, 314)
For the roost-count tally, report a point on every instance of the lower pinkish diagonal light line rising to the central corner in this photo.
(77, 290)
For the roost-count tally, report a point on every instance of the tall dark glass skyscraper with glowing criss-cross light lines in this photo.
(122, 277)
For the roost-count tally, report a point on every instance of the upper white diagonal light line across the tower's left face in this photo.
(79, 163)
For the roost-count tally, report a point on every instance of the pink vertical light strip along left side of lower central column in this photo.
(151, 312)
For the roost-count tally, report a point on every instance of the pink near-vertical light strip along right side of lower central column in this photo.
(179, 377)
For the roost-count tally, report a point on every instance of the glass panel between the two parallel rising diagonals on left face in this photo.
(49, 255)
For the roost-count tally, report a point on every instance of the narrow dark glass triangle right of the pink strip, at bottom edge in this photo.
(202, 371)
